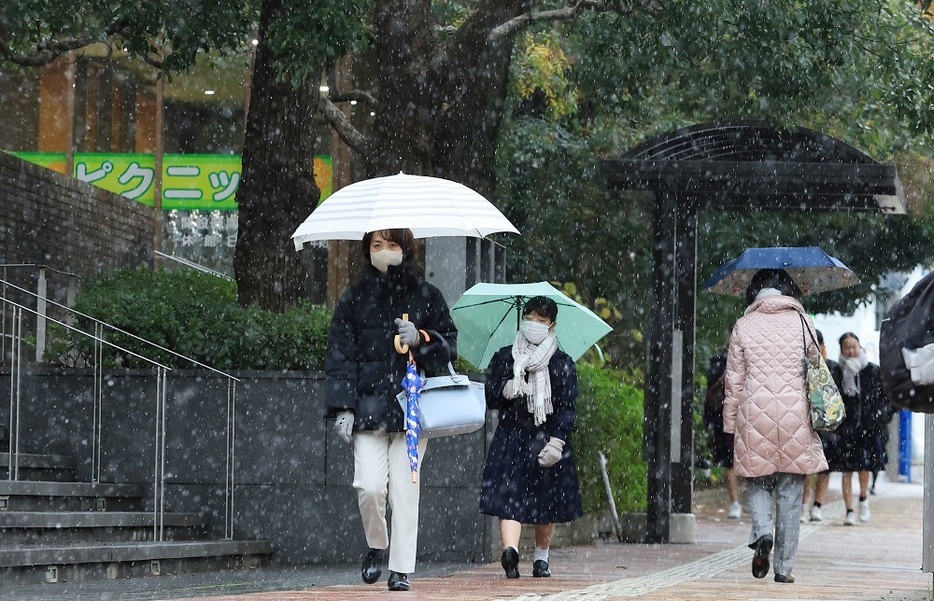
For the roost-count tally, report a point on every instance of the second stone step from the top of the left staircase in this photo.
(32, 495)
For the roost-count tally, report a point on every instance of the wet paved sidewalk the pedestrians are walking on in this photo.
(879, 559)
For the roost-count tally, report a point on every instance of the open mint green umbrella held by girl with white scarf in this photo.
(487, 318)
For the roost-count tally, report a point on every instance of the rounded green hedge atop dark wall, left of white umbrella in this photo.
(194, 314)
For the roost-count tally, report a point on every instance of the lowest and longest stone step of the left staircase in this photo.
(78, 562)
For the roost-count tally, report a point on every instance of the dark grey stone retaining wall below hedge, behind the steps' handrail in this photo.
(292, 474)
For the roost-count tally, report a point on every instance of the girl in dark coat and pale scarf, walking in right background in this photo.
(864, 430)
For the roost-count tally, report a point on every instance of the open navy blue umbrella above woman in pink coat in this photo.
(809, 267)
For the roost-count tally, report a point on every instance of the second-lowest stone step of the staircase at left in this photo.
(56, 527)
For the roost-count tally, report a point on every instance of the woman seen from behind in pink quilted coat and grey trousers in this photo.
(766, 409)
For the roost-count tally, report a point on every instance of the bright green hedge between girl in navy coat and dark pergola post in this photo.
(609, 419)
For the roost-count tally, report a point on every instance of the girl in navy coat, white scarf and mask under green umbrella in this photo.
(530, 475)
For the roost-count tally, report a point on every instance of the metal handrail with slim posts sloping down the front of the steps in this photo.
(160, 434)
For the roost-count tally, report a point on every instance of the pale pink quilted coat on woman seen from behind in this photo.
(765, 405)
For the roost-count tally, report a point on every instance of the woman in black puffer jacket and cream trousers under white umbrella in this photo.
(364, 374)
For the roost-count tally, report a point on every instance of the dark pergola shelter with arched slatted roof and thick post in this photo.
(726, 165)
